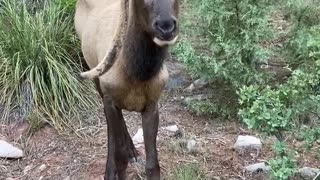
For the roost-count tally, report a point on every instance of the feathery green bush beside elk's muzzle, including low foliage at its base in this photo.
(222, 43)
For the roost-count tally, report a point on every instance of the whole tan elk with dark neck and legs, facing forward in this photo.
(124, 43)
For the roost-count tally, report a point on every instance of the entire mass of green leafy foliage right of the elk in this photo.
(229, 40)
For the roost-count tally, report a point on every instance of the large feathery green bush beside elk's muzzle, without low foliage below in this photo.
(233, 31)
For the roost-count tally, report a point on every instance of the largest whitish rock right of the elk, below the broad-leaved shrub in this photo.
(247, 142)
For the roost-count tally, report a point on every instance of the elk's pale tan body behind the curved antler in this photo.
(96, 23)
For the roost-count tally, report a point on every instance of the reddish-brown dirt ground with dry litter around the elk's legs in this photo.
(49, 155)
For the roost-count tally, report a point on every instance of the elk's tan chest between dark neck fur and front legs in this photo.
(133, 96)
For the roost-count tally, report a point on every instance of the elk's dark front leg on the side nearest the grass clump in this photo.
(117, 142)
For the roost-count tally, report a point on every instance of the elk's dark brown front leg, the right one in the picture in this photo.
(150, 122)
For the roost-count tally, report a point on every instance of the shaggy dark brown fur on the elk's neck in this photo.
(144, 57)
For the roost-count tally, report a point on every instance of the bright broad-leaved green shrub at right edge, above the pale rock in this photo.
(276, 109)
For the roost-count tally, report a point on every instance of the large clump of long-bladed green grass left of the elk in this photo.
(39, 65)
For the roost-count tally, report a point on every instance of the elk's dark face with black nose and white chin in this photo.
(160, 19)
